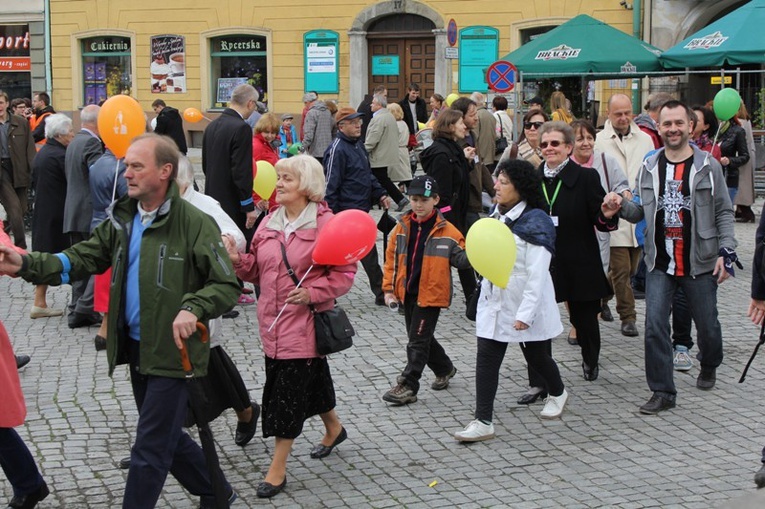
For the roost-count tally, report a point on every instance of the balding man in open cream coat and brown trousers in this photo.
(624, 140)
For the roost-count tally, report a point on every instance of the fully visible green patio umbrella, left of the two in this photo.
(583, 46)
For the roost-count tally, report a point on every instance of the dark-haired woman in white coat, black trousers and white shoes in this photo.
(525, 312)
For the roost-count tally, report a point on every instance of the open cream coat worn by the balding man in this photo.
(629, 151)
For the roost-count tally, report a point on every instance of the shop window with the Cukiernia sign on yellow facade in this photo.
(106, 68)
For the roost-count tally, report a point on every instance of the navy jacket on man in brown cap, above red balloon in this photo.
(350, 182)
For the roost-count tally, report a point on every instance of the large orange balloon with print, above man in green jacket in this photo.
(120, 120)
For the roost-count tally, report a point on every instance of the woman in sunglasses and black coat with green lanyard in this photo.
(573, 196)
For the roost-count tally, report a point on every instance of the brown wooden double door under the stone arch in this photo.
(417, 64)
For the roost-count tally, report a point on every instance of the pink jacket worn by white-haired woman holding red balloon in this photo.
(293, 336)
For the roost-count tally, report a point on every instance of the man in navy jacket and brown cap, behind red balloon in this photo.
(352, 185)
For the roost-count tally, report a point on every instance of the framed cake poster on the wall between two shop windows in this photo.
(168, 64)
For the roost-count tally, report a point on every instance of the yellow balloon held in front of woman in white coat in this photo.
(490, 247)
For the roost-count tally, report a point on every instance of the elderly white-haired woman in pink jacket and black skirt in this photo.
(298, 382)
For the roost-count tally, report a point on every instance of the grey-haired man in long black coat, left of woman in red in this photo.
(227, 159)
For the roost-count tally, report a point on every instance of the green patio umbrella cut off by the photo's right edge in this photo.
(731, 39)
